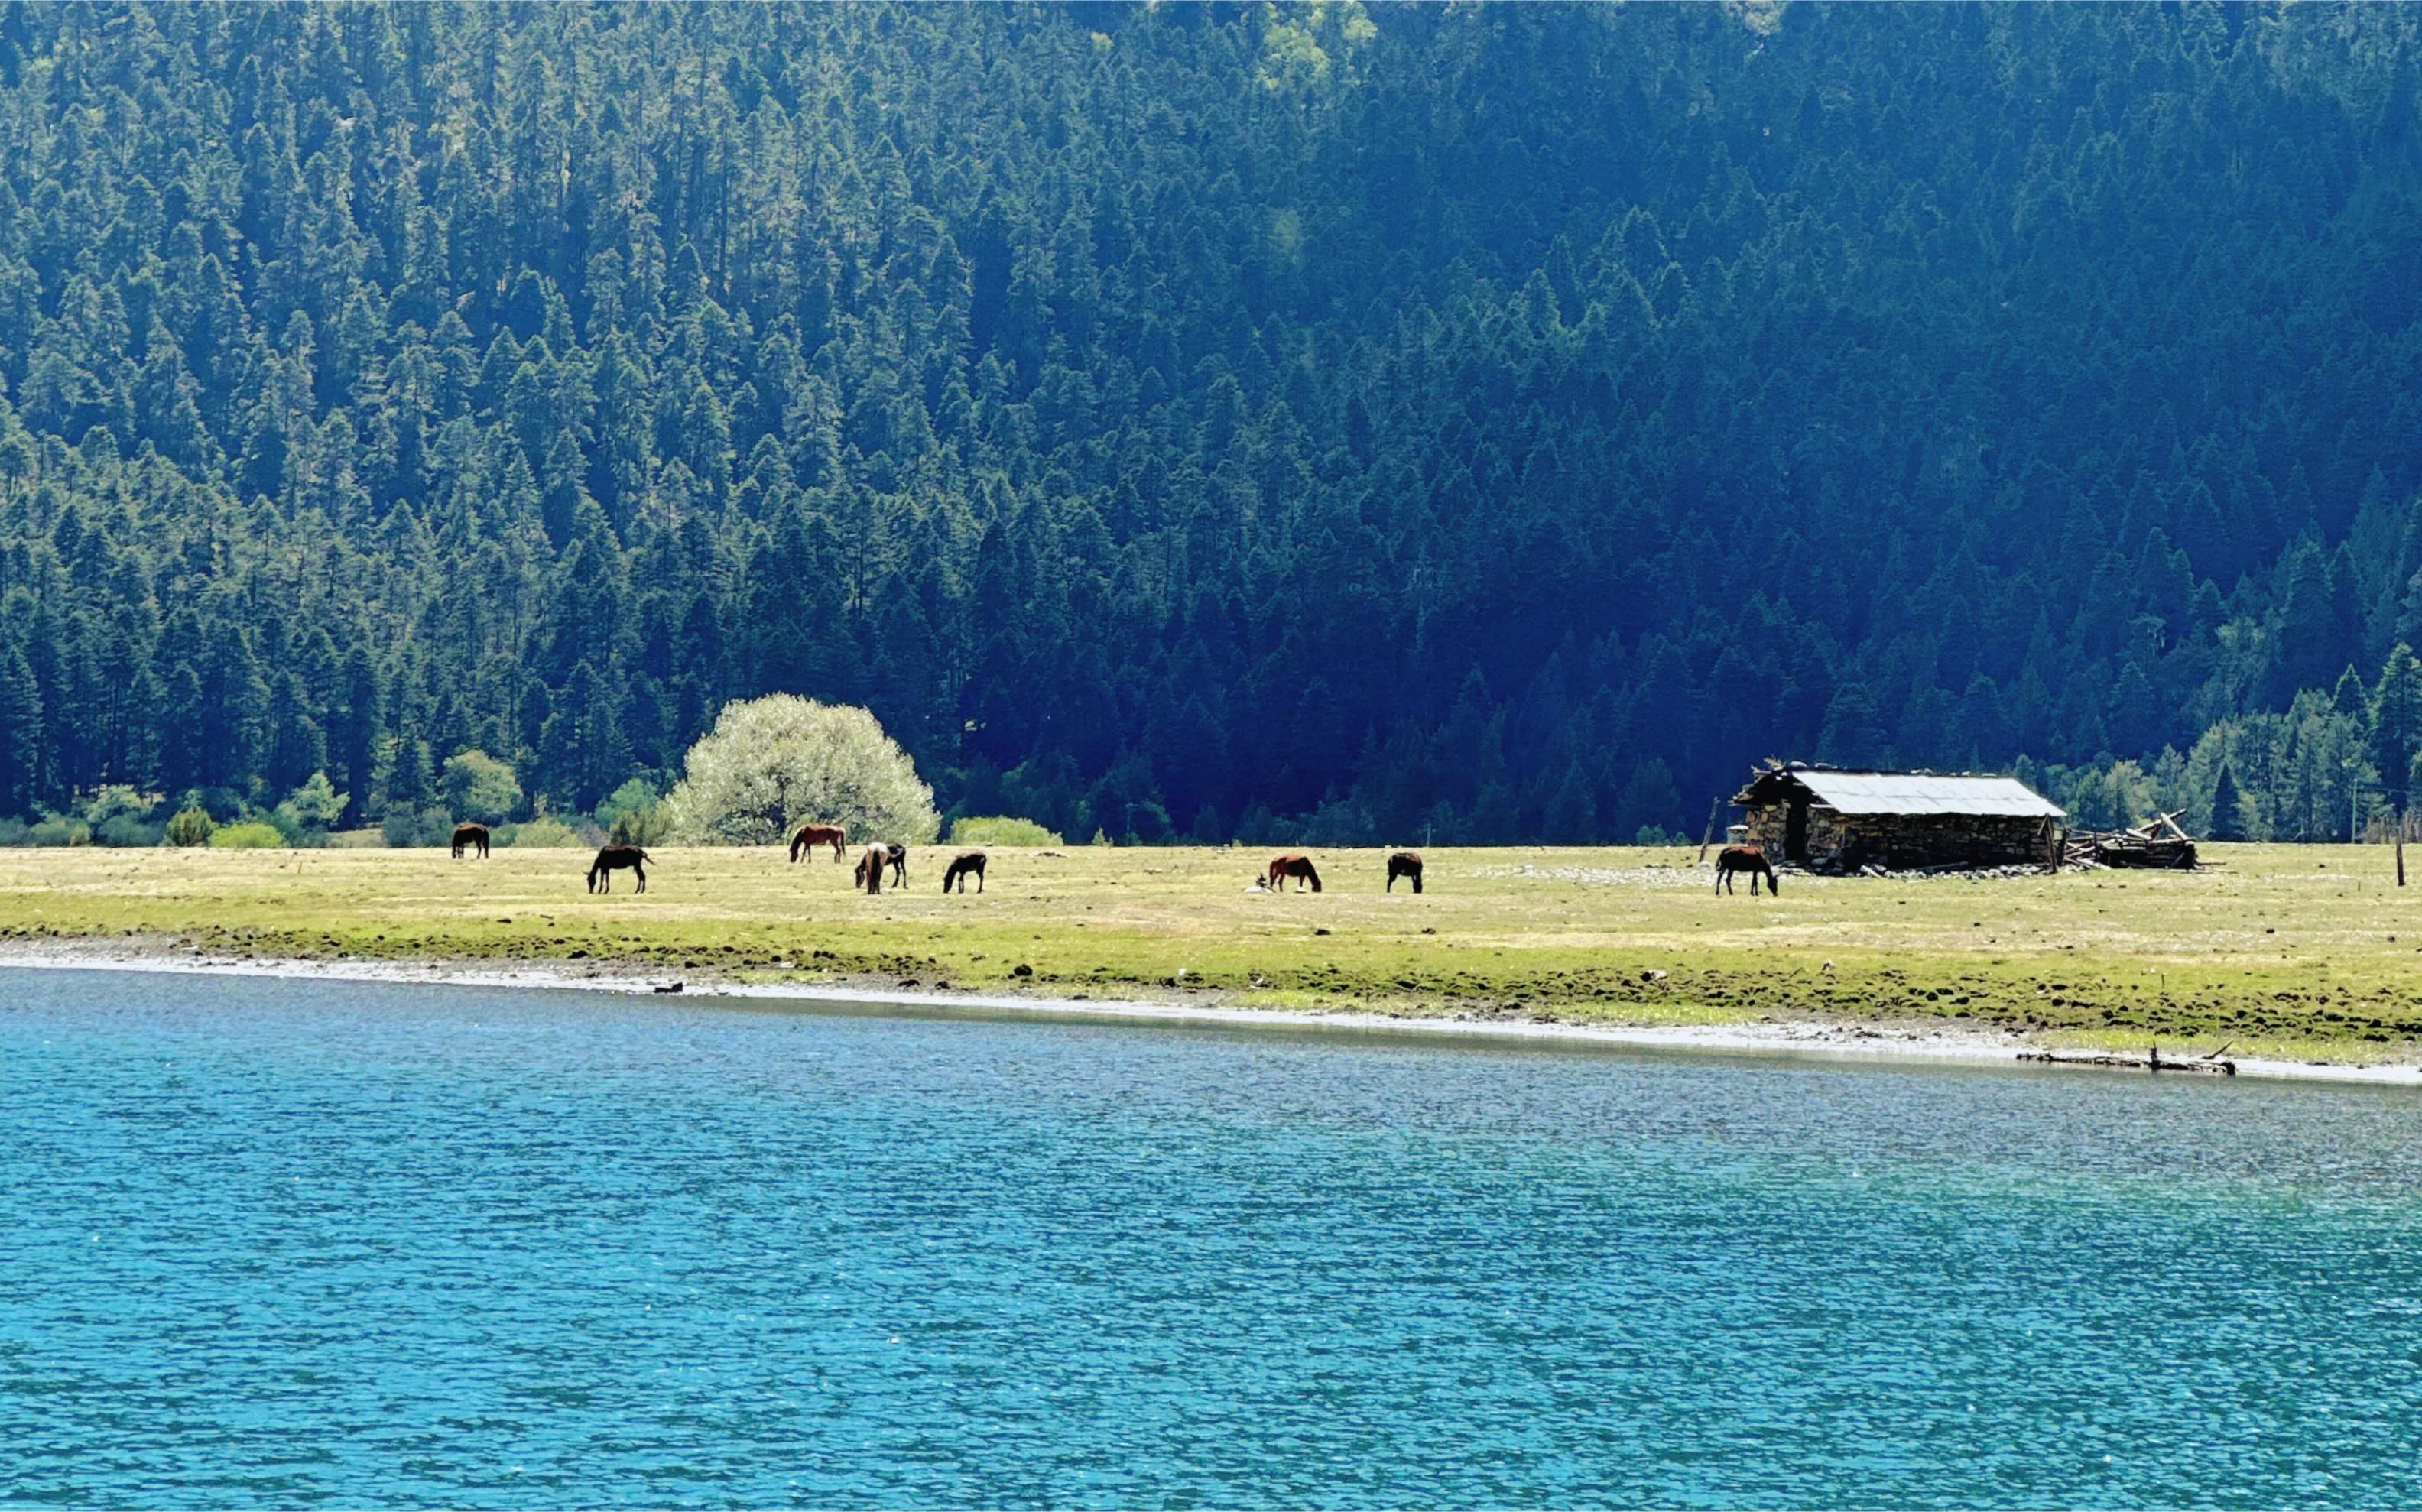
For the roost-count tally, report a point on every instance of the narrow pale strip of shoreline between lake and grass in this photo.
(1801, 1038)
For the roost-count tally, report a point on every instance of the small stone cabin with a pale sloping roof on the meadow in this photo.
(1847, 820)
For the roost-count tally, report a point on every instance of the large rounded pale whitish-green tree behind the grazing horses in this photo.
(779, 762)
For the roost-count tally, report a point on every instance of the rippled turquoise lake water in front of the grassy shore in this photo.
(280, 1244)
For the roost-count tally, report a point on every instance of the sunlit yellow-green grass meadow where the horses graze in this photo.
(2285, 951)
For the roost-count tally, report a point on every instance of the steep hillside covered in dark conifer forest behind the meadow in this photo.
(1328, 420)
